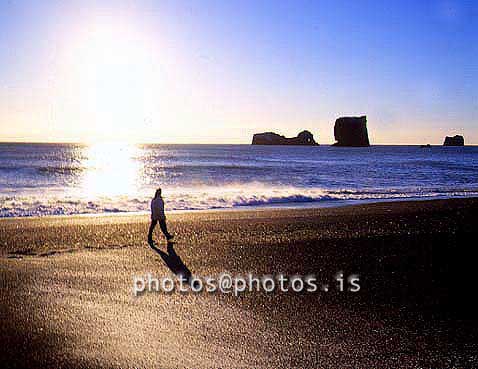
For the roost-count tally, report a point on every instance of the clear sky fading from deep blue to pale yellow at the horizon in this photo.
(219, 71)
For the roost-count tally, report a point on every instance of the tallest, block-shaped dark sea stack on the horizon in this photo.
(351, 131)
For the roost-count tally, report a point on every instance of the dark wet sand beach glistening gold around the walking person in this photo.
(67, 297)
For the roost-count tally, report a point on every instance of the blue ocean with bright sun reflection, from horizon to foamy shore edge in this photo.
(64, 179)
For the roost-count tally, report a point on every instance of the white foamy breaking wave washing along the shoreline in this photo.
(212, 198)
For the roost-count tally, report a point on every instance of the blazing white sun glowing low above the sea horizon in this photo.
(113, 80)
